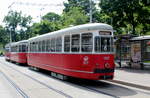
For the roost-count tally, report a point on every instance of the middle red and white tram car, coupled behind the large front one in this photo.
(19, 51)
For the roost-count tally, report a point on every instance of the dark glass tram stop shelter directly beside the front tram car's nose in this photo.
(123, 48)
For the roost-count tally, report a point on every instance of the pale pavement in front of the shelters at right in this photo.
(133, 76)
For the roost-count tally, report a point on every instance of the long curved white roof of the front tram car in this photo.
(74, 30)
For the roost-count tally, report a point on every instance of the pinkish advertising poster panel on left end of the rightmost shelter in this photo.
(136, 54)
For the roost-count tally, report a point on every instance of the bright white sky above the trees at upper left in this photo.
(35, 8)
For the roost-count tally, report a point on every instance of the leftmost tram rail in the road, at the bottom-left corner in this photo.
(19, 90)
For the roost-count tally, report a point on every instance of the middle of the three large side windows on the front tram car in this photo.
(75, 45)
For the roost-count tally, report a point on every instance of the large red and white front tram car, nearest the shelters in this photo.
(84, 51)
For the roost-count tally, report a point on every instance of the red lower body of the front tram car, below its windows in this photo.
(85, 66)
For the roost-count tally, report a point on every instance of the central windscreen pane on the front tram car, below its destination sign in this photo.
(105, 44)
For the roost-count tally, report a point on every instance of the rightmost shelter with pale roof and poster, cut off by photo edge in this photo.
(140, 52)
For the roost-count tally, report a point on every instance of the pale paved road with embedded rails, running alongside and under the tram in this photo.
(34, 84)
